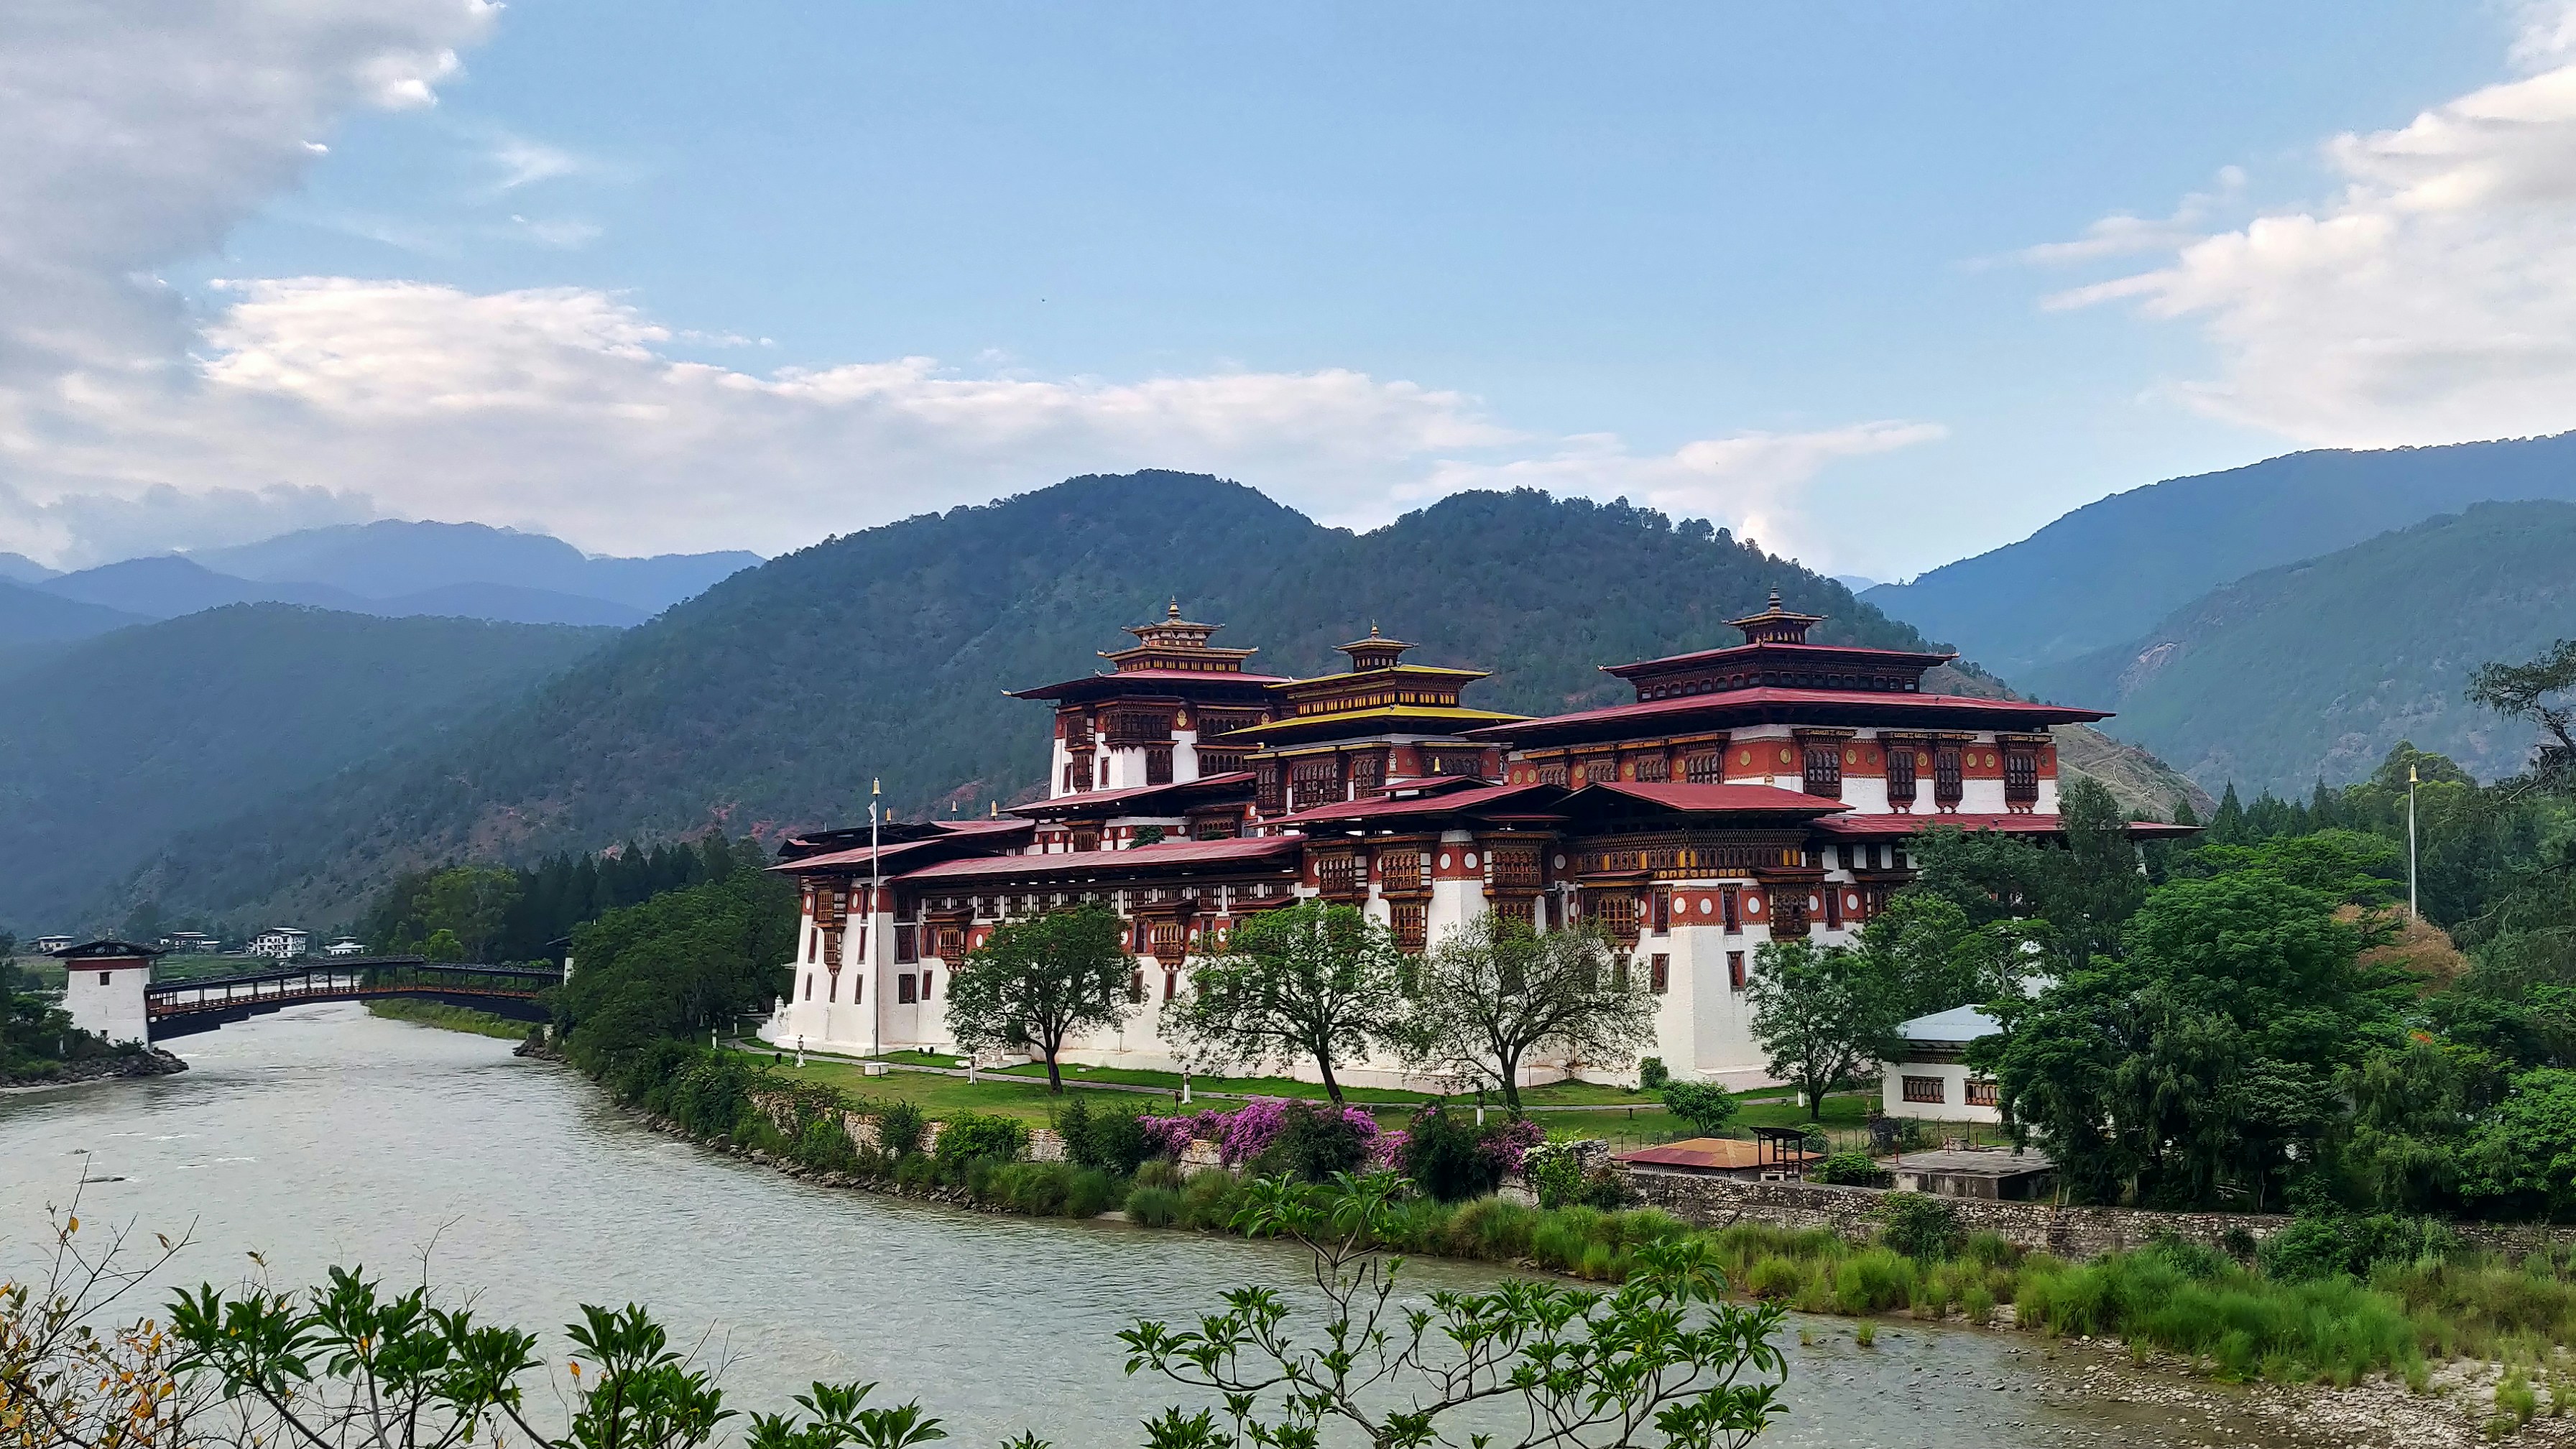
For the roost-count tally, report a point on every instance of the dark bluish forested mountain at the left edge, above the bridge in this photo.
(122, 740)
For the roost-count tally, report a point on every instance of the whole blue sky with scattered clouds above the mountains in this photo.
(1874, 284)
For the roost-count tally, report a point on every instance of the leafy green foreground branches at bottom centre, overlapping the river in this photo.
(1660, 1360)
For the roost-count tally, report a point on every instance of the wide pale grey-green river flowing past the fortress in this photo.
(323, 1136)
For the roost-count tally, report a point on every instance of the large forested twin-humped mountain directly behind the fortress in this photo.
(784, 691)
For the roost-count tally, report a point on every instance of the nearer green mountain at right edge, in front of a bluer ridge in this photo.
(2315, 670)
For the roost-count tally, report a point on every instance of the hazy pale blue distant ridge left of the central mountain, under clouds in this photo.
(390, 560)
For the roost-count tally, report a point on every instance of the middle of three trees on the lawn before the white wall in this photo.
(1302, 984)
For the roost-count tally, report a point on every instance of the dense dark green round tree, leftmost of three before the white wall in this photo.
(1039, 982)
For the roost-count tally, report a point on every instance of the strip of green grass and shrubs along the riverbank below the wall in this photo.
(2224, 1316)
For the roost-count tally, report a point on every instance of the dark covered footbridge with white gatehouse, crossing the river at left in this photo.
(109, 990)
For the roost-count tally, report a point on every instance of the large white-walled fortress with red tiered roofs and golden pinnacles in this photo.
(1748, 794)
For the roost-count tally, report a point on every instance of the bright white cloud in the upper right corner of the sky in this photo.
(2430, 300)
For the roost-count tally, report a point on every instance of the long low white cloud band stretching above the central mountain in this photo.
(568, 408)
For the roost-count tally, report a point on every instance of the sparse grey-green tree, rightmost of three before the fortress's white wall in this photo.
(1495, 995)
